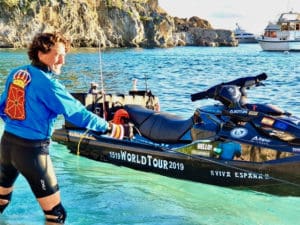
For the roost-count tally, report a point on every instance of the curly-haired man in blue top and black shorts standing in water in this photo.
(29, 105)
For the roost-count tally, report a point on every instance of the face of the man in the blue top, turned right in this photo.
(55, 58)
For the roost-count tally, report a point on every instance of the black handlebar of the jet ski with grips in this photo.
(244, 82)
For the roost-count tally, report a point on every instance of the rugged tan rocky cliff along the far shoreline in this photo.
(112, 23)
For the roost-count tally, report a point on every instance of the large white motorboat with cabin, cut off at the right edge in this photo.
(284, 35)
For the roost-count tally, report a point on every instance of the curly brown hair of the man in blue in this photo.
(44, 42)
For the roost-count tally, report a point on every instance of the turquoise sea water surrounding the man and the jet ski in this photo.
(97, 193)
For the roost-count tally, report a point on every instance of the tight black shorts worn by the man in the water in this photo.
(31, 159)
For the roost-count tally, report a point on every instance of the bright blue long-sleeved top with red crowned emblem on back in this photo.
(32, 100)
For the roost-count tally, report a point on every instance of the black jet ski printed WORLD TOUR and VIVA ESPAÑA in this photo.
(232, 144)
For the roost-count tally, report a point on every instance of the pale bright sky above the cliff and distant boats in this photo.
(252, 15)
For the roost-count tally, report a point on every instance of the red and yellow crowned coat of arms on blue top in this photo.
(15, 102)
